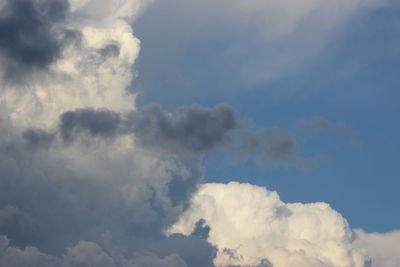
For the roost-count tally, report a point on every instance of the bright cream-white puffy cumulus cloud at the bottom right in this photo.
(250, 224)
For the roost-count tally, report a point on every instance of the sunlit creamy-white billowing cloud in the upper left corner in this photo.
(96, 52)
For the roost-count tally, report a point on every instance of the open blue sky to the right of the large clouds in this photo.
(352, 77)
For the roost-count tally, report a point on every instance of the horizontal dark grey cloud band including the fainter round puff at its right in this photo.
(190, 130)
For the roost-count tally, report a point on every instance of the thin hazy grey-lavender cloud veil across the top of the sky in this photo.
(237, 45)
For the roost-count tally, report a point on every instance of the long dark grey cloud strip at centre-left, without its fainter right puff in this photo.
(193, 129)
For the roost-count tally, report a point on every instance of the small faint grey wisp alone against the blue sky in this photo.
(323, 125)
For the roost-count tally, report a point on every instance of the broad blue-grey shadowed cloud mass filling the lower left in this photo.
(49, 202)
